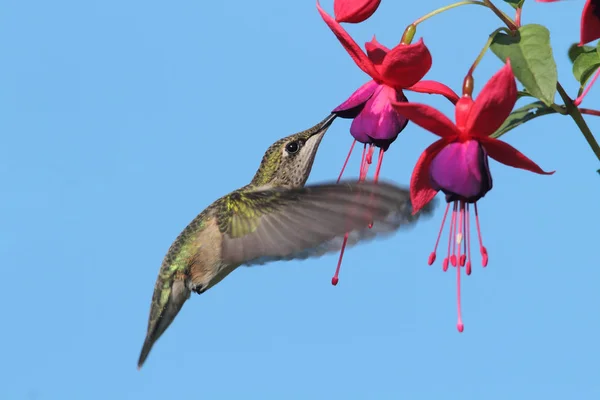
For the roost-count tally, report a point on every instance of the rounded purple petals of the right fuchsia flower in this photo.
(461, 171)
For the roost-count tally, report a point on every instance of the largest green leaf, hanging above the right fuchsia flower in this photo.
(531, 58)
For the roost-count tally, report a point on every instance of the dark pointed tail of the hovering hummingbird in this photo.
(162, 314)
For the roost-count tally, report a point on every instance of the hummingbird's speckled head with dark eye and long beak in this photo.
(288, 161)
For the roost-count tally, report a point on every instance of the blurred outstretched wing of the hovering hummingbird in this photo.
(283, 224)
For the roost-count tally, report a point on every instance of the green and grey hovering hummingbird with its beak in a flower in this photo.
(275, 217)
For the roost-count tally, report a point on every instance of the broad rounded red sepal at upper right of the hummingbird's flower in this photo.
(405, 65)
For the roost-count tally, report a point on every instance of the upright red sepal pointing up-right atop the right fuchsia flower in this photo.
(494, 103)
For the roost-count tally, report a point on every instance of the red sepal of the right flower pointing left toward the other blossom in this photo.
(427, 118)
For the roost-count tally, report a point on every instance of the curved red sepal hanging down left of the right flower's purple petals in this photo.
(421, 191)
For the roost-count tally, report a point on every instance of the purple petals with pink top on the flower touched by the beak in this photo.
(378, 121)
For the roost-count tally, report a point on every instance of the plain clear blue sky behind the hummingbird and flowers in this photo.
(121, 121)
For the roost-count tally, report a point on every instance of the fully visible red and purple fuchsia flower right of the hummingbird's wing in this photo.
(457, 164)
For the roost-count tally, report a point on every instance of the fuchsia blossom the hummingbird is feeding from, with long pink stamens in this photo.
(375, 122)
